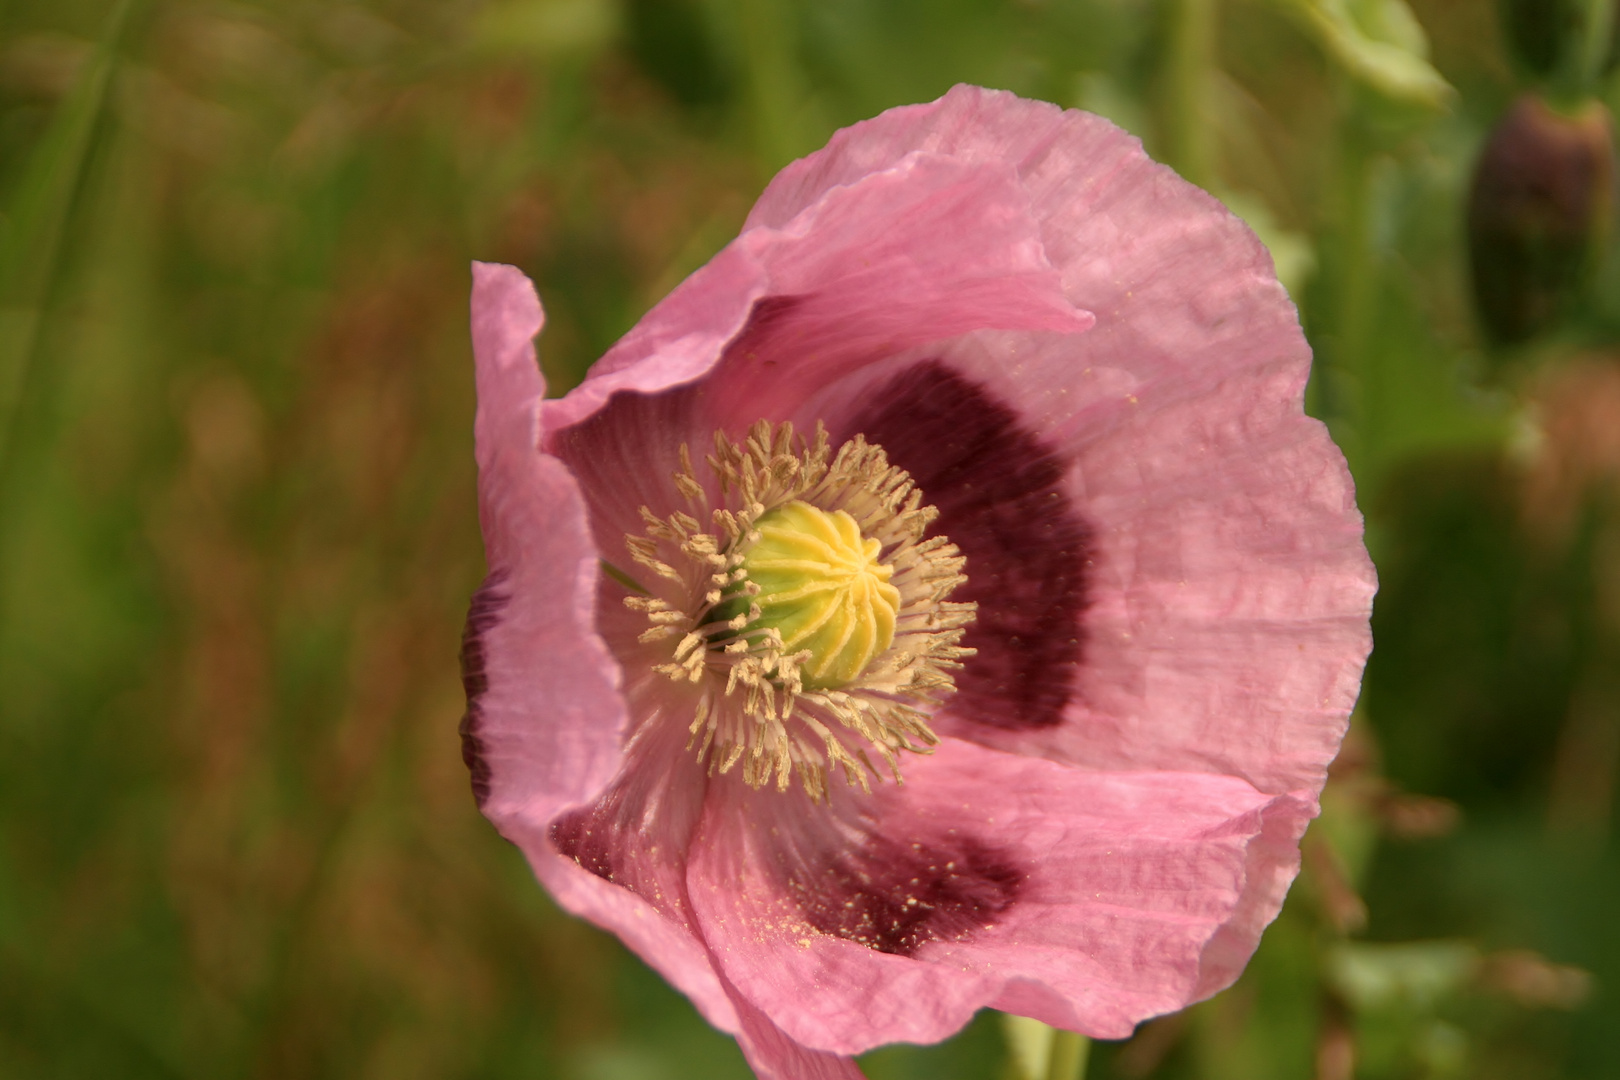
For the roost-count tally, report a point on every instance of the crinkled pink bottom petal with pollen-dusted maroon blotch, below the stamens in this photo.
(1128, 895)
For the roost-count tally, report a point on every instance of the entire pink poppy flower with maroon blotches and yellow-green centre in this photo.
(1111, 665)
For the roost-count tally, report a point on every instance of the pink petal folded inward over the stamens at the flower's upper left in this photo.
(919, 253)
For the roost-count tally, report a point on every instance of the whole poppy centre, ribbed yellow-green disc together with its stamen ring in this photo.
(812, 619)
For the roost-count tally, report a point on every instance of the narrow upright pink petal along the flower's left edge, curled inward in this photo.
(545, 715)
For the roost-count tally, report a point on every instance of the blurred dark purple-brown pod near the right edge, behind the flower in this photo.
(1538, 211)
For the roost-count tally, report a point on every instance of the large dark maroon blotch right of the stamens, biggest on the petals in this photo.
(1000, 496)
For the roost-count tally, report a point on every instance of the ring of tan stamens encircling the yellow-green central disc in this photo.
(754, 707)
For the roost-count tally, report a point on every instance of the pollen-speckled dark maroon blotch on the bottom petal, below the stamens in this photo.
(897, 898)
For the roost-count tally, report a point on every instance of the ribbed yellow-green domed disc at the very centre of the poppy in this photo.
(824, 590)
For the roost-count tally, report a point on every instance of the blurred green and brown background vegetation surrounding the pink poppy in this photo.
(239, 532)
